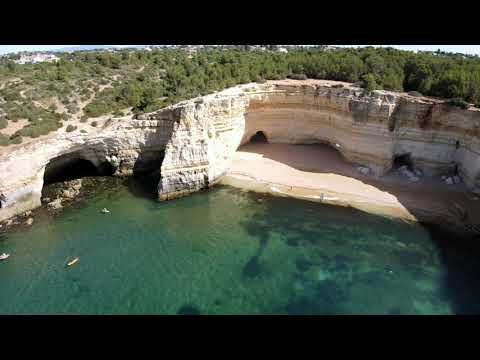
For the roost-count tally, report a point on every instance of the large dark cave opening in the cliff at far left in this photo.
(70, 167)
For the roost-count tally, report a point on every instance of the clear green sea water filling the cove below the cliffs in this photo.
(224, 252)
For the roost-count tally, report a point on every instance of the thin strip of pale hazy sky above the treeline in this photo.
(467, 49)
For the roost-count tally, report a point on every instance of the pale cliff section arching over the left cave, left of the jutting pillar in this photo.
(121, 143)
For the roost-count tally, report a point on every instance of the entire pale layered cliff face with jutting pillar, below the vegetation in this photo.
(192, 142)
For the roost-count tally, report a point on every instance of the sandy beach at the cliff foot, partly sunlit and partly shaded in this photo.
(319, 173)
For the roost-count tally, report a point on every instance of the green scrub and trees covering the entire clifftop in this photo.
(146, 81)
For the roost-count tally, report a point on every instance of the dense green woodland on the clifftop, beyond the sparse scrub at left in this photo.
(172, 76)
